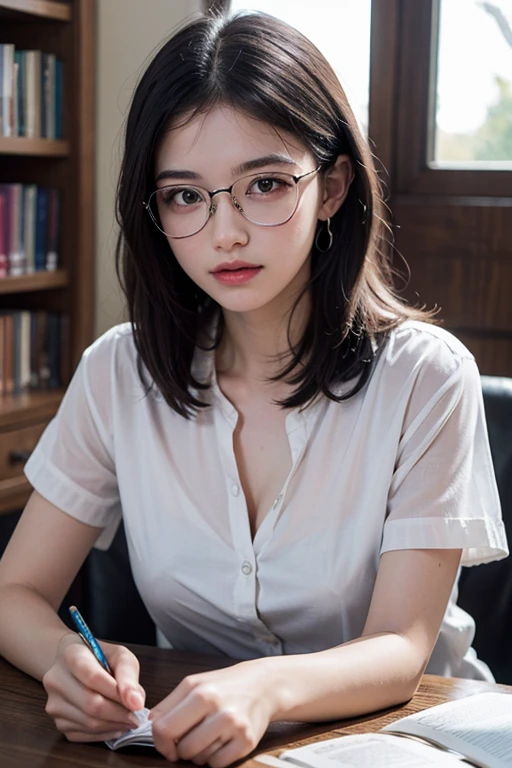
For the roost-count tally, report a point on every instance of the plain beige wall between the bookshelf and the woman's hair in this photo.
(128, 32)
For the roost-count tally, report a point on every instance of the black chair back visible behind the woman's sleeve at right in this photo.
(485, 591)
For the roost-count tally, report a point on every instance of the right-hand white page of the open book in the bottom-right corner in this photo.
(479, 726)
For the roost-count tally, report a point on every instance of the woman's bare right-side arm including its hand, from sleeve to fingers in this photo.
(218, 717)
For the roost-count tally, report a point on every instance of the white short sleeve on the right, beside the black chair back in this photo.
(443, 492)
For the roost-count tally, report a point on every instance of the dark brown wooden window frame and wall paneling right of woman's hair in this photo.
(453, 227)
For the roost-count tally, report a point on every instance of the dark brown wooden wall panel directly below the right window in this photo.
(460, 260)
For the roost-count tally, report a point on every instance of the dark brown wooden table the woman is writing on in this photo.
(28, 738)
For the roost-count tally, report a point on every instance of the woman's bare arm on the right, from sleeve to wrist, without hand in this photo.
(384, 666)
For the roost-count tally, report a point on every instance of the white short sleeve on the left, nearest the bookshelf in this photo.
(73, 465)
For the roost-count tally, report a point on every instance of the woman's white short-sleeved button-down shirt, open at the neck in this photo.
(403, 464)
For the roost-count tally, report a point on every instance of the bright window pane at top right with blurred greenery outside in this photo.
(473, 107)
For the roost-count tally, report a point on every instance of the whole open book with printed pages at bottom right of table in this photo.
(476, 730)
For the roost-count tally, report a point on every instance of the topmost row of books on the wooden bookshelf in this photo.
(31, 84)
